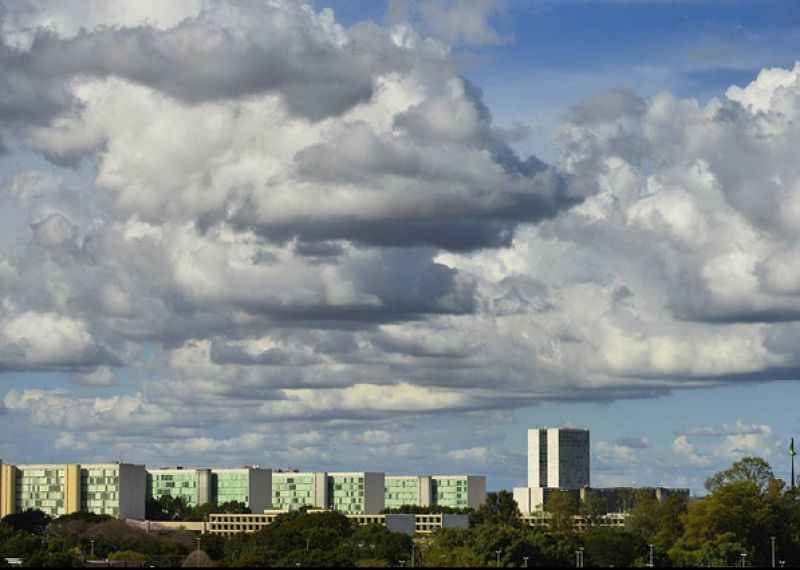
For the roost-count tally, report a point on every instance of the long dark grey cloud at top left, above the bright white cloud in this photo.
(204, 58)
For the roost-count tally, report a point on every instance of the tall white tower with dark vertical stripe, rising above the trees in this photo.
(558, 458)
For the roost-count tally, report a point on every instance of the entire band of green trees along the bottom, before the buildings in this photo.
(745, 508)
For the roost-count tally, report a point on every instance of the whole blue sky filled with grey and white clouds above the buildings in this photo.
(395, 235)
